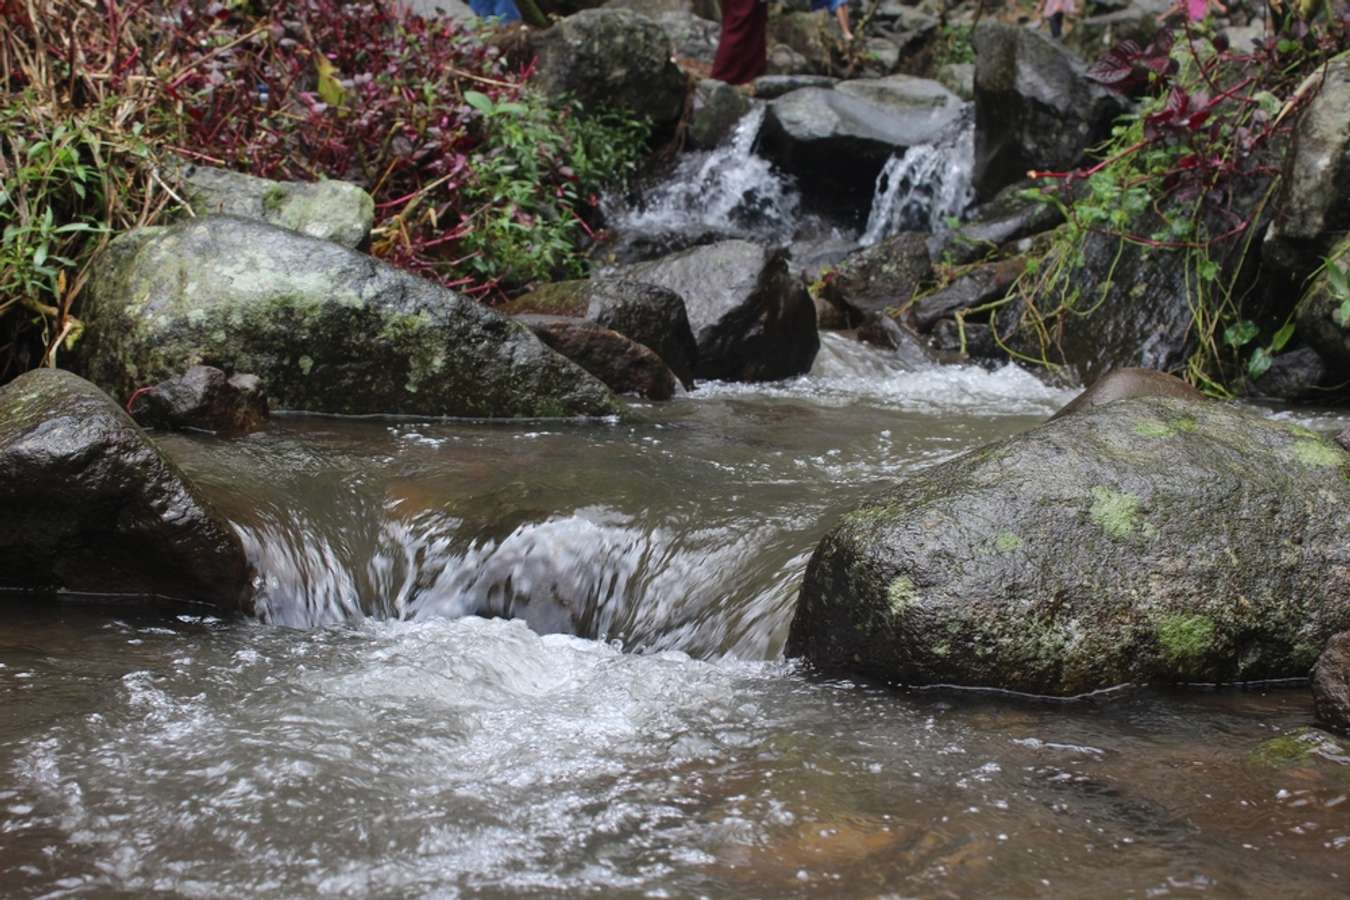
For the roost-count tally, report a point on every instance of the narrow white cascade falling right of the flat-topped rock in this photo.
(923, 187)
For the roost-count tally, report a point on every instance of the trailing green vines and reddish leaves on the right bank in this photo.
(1193, 175)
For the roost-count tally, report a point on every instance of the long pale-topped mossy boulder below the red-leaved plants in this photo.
(327, 330)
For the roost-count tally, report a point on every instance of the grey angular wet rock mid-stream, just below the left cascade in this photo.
(751, 319)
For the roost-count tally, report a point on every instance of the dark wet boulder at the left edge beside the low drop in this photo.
(95, 512)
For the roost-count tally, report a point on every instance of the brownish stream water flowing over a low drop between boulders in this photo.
(392, 746)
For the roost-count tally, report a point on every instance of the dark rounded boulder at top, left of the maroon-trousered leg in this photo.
(611, 59)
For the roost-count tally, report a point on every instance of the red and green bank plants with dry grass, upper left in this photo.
(479, 183)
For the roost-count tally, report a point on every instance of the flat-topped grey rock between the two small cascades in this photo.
(836, 144)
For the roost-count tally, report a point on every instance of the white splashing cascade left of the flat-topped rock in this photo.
(728, 191)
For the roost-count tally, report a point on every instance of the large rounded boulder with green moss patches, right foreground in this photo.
(1151, 540)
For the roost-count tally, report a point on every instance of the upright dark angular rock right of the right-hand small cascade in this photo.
(1035, 107)
